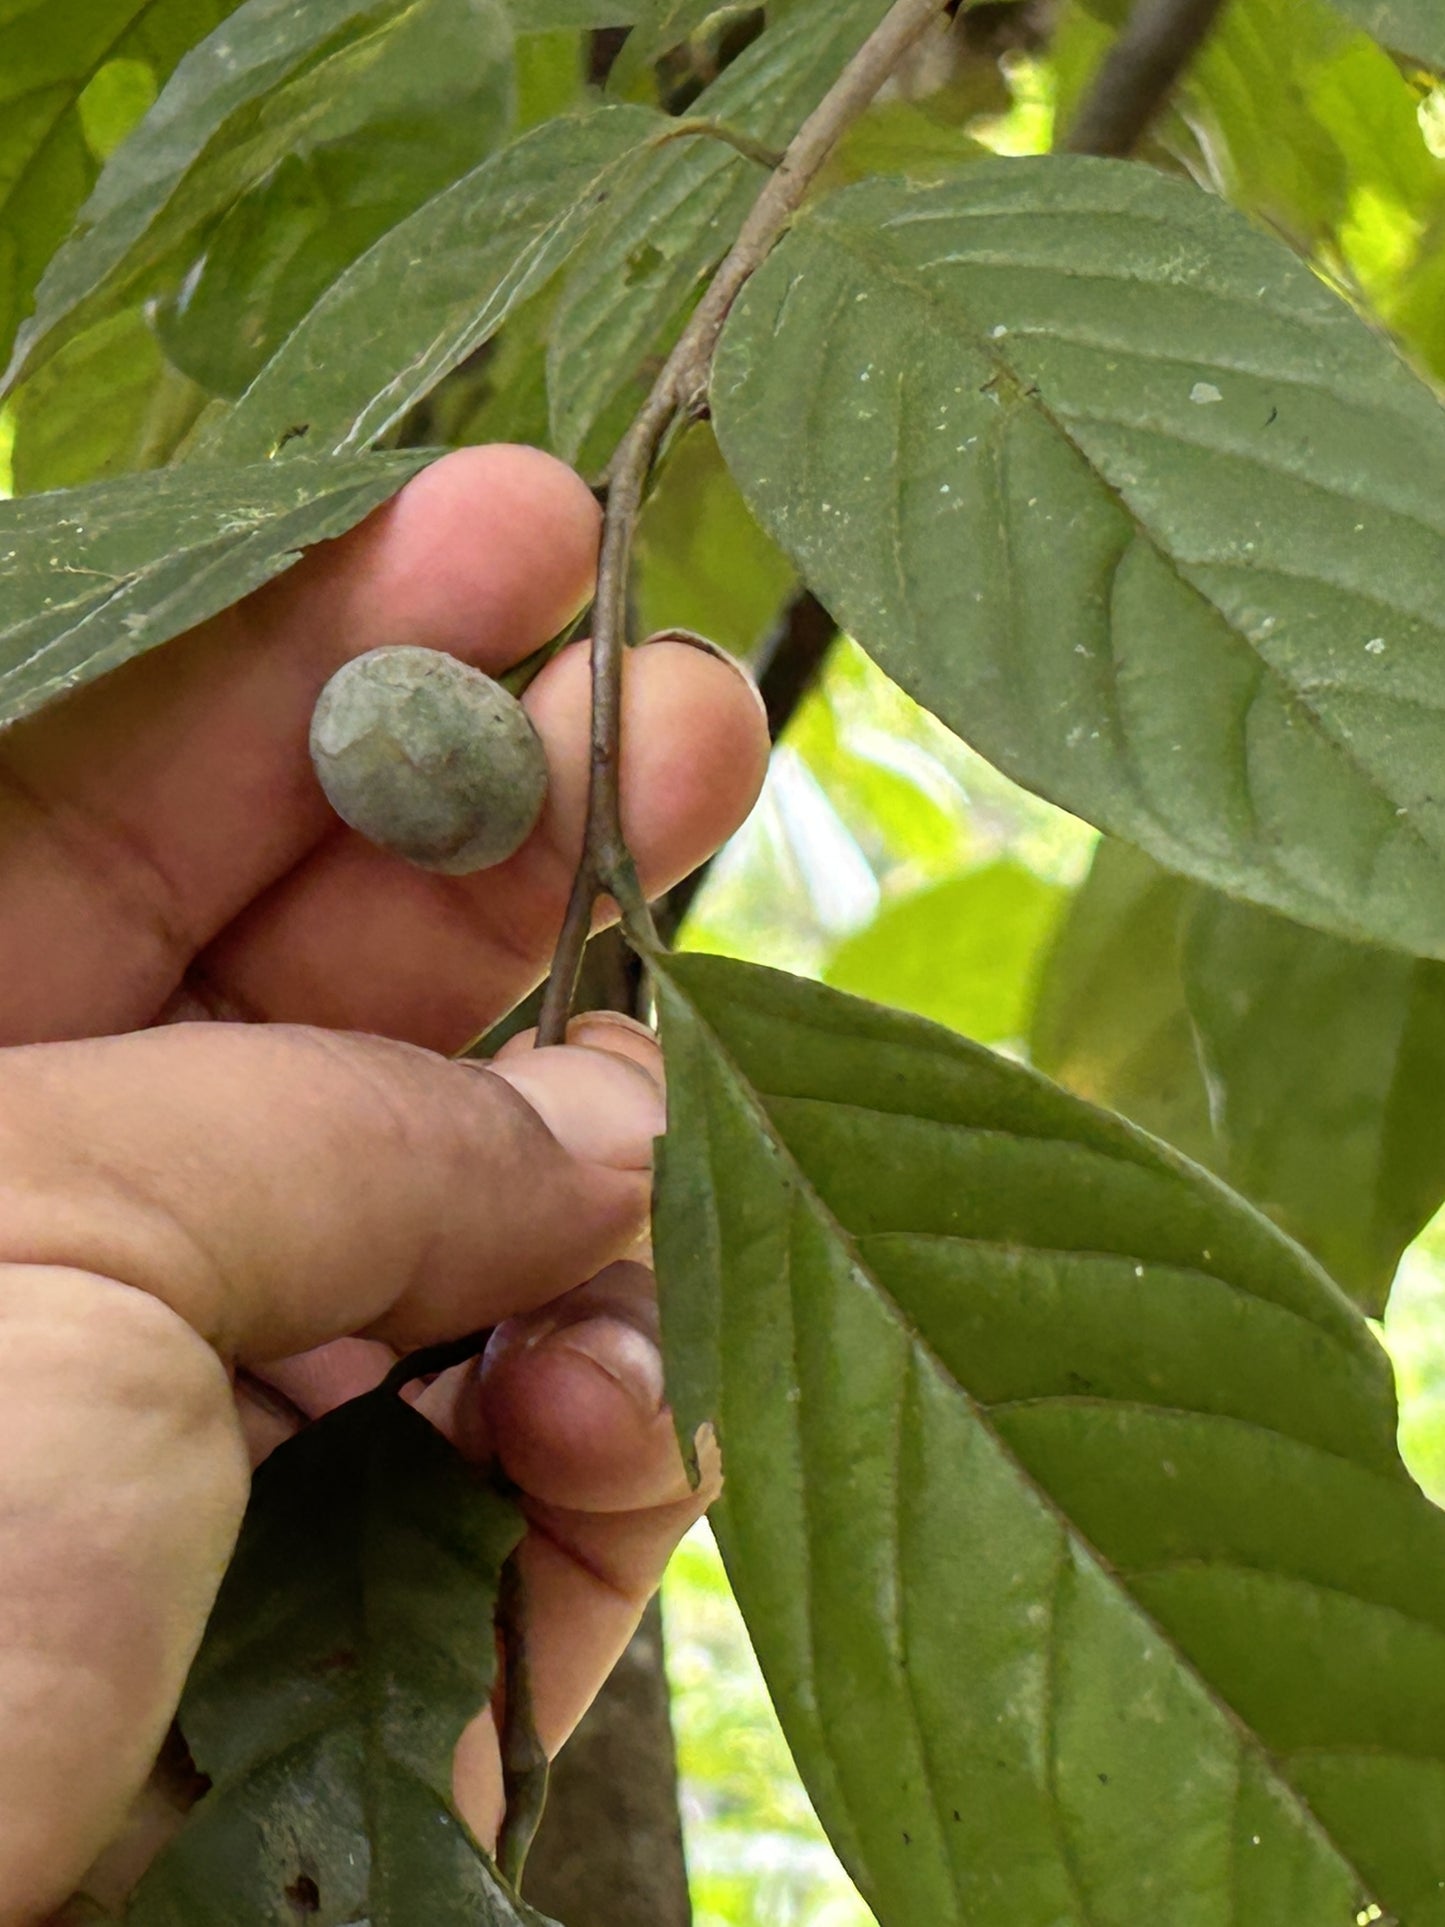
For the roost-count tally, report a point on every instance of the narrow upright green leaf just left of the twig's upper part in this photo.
(677, 211)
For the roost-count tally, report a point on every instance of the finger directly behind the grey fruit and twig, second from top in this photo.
(355, 939)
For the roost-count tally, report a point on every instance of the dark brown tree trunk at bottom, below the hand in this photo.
(610, 1849)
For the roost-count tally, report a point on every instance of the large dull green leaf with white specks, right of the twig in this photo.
(1138, 506)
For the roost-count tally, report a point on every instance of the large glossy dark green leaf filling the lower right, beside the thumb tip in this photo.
(1063, 1492)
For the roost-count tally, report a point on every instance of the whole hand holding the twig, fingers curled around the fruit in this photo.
(240, 1173)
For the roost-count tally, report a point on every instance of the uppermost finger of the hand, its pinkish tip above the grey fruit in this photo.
(151, 808)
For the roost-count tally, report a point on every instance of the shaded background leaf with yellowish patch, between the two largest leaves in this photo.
(1111, 1020)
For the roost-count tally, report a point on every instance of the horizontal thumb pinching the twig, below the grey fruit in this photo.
(282, 1188)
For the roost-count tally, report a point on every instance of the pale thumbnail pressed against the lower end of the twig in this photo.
(598, 1105)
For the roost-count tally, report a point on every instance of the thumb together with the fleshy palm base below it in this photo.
(255, 1192)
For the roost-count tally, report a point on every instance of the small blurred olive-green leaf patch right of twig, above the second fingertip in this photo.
(702, 562)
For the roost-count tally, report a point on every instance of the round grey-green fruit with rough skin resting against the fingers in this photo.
(429, 758)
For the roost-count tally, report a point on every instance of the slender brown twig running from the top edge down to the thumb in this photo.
(606, 866)
